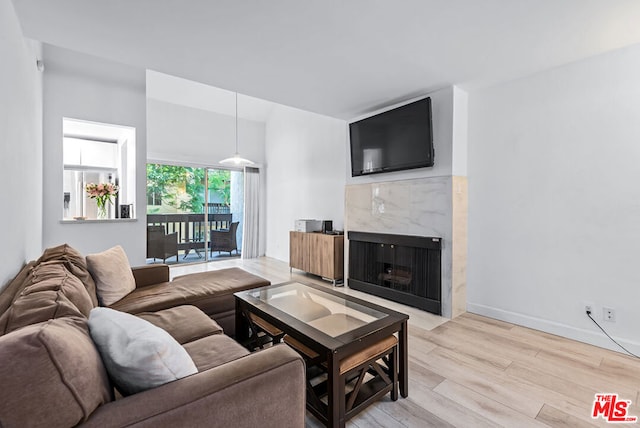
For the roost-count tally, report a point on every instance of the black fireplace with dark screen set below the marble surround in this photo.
(405, 269)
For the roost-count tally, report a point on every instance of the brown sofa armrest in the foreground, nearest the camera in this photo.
(266, 389)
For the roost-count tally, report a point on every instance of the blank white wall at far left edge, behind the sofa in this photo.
(20, 146)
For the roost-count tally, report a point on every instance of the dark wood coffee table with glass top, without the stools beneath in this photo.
(333, 325)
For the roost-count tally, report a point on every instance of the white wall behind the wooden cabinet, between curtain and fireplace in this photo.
(306, 160)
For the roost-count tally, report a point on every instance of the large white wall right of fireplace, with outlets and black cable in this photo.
(554, 198)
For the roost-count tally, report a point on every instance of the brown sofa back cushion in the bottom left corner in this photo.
(51, 375)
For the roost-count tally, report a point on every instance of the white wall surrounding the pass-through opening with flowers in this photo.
(84, 87)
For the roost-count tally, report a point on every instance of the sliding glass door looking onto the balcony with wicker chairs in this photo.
(195, 211)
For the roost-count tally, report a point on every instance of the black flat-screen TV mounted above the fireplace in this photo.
(394, 140)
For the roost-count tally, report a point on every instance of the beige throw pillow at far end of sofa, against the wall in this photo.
(112, 273)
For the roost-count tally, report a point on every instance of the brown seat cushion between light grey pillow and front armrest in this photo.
(212, 351)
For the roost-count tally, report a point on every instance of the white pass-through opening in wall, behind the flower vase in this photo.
(97, 153)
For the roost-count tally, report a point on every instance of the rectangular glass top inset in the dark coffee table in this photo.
(331, 314)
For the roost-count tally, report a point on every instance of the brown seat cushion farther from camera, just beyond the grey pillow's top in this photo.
(184, 323)
